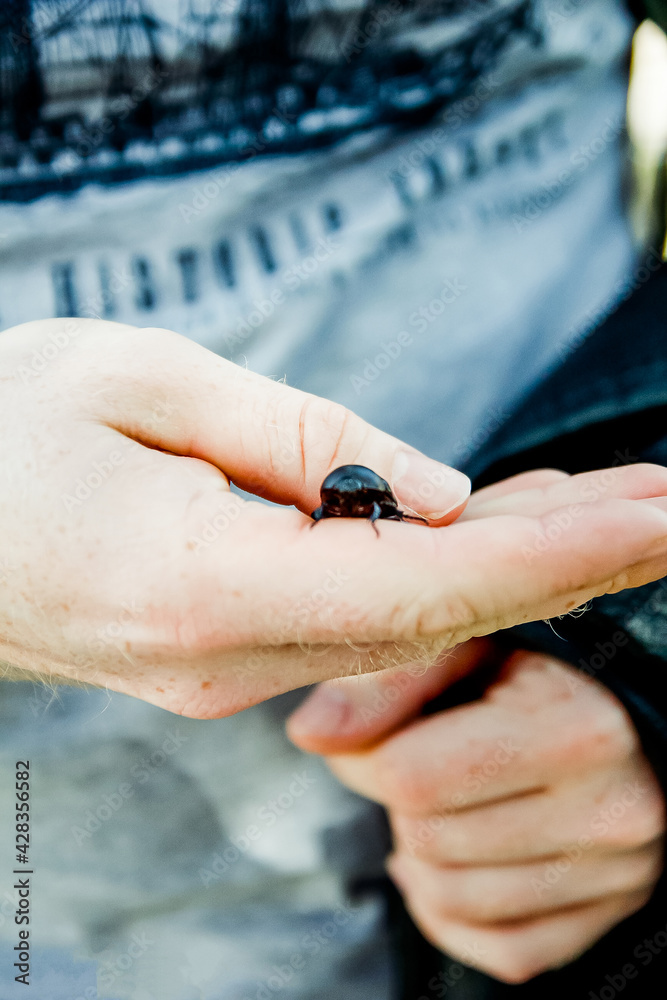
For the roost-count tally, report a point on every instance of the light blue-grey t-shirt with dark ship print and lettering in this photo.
(411, 207)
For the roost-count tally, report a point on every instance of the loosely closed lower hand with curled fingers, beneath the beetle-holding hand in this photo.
(526, 824)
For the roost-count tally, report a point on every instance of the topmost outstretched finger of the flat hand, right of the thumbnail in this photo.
(538, 492)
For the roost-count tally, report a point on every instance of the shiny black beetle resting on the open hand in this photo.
(355, 491)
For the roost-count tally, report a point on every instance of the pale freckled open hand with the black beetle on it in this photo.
(127, 561)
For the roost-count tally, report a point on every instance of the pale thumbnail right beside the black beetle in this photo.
(426, 486)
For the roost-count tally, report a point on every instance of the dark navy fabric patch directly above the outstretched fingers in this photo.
(608, 394)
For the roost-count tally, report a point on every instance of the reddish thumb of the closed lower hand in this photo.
(351, 713)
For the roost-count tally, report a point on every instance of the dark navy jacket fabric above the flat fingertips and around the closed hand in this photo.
(605, 404)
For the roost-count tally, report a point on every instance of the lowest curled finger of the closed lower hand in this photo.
(516, 952)
